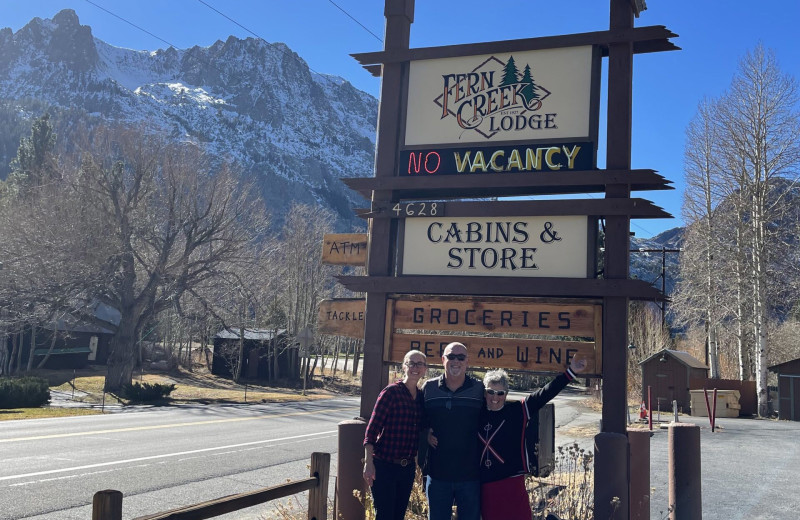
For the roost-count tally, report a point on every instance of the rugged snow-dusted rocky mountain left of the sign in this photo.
(253, 102)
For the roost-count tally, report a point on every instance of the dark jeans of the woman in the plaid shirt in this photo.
(392, 489)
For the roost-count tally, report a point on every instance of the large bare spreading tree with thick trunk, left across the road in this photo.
(131, 221)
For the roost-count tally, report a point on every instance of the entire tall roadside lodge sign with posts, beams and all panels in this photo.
(517, 281)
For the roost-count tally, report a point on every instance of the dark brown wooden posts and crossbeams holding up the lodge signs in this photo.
(620, 42)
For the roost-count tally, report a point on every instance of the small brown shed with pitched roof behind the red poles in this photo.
(670, 374)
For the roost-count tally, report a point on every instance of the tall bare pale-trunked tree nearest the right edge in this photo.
(757, 152)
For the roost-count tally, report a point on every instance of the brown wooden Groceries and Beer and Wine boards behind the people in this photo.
(509, 333)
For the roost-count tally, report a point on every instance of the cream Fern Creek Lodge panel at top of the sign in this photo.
(524, 96)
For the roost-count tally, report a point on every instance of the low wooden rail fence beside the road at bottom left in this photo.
(107, 505)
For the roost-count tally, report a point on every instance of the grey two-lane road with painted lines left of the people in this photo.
(160, 459)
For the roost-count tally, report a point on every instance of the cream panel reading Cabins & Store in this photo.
(554, 246)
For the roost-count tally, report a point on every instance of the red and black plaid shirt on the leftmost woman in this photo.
(394, 426)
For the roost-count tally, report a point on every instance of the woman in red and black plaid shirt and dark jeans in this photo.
(391, 440)
